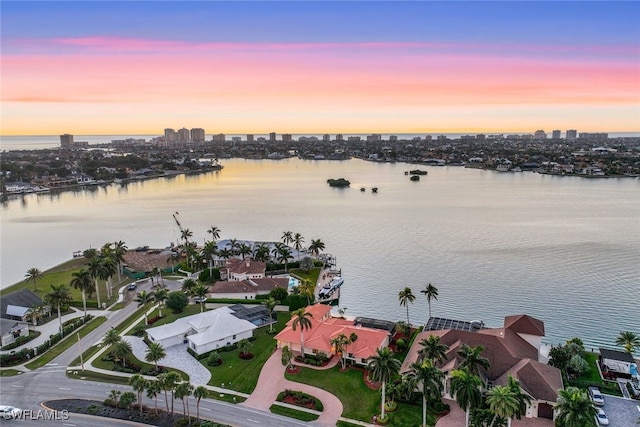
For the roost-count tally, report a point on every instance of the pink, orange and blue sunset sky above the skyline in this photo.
(314, 67)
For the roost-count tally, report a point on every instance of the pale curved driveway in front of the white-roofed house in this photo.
(177, 357)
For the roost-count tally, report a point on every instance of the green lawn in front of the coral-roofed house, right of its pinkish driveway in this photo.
(358, 400)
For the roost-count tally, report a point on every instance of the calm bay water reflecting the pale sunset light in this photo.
(565, 250)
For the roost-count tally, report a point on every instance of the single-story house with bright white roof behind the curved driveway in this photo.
(203, 331)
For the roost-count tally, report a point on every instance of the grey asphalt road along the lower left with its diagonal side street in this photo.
(29, 390)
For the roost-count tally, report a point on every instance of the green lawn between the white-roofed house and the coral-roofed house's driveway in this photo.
(242, 375)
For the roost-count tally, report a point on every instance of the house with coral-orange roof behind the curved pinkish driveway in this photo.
(324, 328)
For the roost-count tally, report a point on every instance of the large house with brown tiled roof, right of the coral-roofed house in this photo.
(513, 350)
